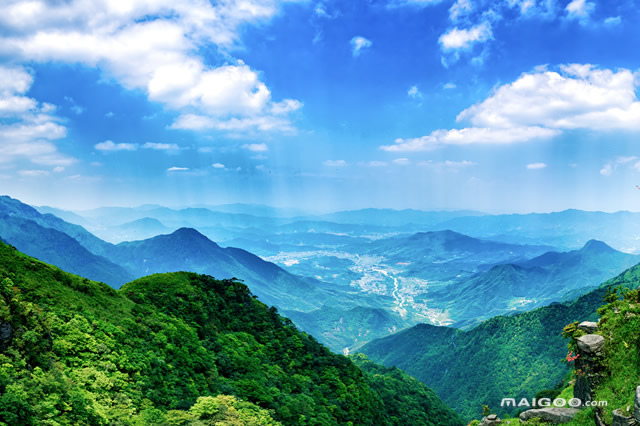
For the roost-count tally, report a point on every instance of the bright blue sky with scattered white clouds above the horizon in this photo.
(498, 106)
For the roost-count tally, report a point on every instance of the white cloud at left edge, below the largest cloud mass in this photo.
(28, 128)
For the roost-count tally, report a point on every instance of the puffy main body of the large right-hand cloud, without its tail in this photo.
(574, 97)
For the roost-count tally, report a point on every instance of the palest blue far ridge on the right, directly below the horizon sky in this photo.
(569, 229)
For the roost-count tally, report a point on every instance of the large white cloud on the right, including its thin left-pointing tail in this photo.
(540, 105)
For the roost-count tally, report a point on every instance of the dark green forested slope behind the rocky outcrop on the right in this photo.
(511, 356)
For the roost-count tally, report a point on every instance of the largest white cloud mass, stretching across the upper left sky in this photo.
(162, 39)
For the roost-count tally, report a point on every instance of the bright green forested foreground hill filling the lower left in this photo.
(178, 349)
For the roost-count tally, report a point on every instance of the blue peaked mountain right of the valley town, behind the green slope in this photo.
(548, 278)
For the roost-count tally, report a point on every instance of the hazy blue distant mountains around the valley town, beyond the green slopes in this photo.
(346, 283)
